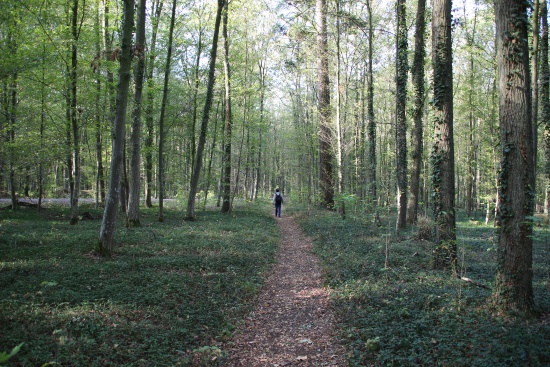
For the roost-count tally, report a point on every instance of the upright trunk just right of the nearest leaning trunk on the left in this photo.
(135, 141)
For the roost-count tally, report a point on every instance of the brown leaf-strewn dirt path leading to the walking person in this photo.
(293, 323)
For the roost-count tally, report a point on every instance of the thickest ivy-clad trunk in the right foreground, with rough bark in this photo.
(514, 289)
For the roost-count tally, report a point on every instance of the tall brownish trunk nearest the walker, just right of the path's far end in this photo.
(326, 152)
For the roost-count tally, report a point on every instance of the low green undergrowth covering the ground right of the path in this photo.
(394, 310)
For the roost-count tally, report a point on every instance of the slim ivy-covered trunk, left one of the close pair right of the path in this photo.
(400, 113)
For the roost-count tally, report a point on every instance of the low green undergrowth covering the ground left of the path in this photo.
(171, 295)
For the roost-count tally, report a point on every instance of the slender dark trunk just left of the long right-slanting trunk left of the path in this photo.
(161, 162)
